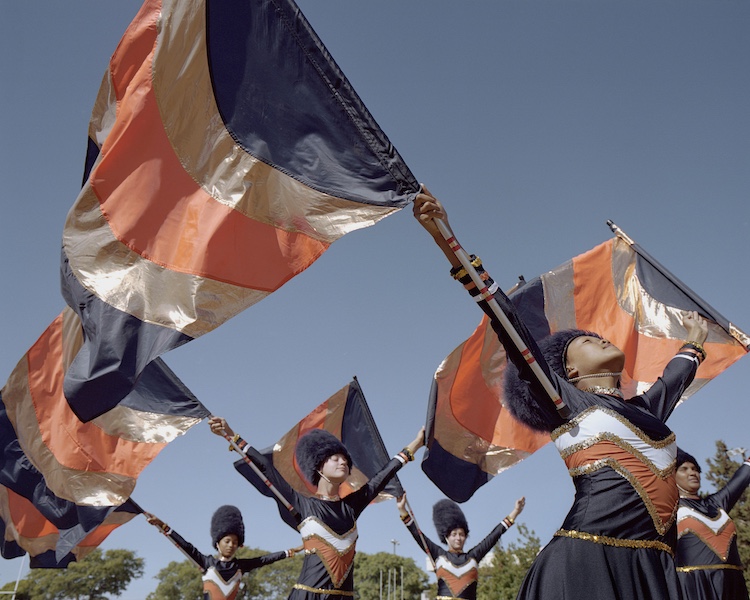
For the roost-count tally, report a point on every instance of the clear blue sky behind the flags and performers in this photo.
(534, 121)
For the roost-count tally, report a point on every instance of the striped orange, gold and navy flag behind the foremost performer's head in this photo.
(617, 290)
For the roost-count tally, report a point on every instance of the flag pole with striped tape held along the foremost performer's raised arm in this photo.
(484, 294)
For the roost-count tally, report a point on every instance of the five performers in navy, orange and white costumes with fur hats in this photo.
(637, 529)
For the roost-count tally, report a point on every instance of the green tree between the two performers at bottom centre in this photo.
(368, 569)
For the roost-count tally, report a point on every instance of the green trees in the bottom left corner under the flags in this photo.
(96, 577)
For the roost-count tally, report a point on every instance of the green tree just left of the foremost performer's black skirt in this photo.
(502, 579)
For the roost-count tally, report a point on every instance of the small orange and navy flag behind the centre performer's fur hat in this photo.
(347, 416)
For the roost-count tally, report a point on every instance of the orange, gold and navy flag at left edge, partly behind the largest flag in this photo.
(94, 463)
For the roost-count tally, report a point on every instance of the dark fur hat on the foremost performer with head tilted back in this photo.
(540, 417)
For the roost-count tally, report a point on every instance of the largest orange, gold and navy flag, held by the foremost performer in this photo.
(227, 151)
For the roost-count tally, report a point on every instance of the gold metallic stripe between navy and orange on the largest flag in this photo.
(213, 159)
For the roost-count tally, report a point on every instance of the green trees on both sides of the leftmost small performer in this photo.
(182, 580)
